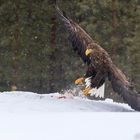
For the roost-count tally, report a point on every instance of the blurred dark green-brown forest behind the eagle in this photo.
(35, 54)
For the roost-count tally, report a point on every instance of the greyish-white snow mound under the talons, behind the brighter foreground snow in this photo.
(31, 102)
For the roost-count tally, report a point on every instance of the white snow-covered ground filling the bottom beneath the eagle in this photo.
(30, 116)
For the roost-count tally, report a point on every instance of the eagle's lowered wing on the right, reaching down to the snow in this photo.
(121, 85)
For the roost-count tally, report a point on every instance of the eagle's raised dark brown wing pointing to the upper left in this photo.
(77, 36)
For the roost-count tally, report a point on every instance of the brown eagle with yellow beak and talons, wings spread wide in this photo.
(100, 65)
